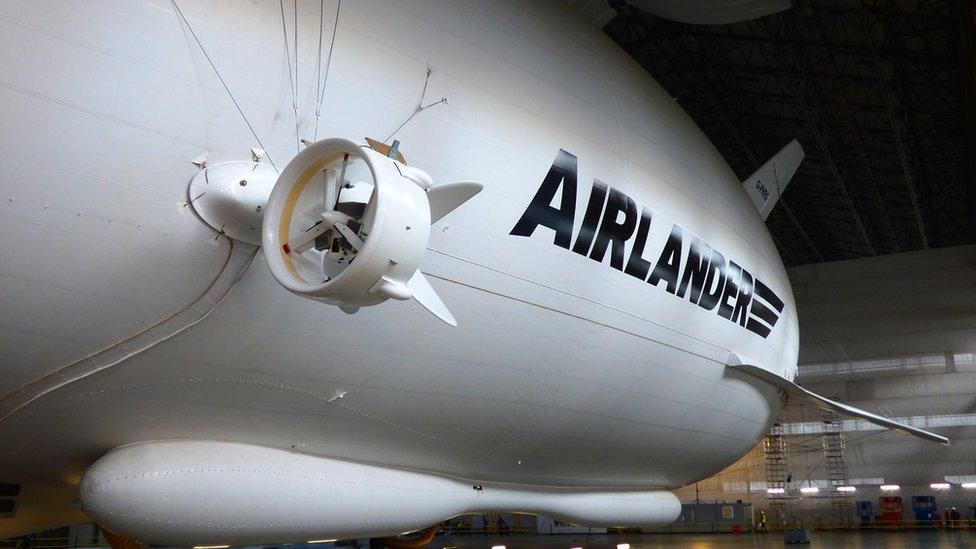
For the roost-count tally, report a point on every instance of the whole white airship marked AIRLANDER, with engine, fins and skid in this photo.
(282, 271)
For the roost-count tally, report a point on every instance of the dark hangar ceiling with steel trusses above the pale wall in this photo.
(879, 94)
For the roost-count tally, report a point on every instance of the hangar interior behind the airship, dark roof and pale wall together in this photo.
(877, 229)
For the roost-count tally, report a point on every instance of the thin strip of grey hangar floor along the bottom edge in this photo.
(853, 540)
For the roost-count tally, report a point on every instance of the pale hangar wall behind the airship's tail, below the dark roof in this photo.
(895, 335)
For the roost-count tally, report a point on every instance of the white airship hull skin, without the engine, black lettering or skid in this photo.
(564, 372)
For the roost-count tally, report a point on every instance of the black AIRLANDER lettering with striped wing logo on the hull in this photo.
(700, 273)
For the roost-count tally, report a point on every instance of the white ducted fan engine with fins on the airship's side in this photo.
(348, 226)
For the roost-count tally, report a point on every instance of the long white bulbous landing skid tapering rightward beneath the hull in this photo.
(197, 492)
